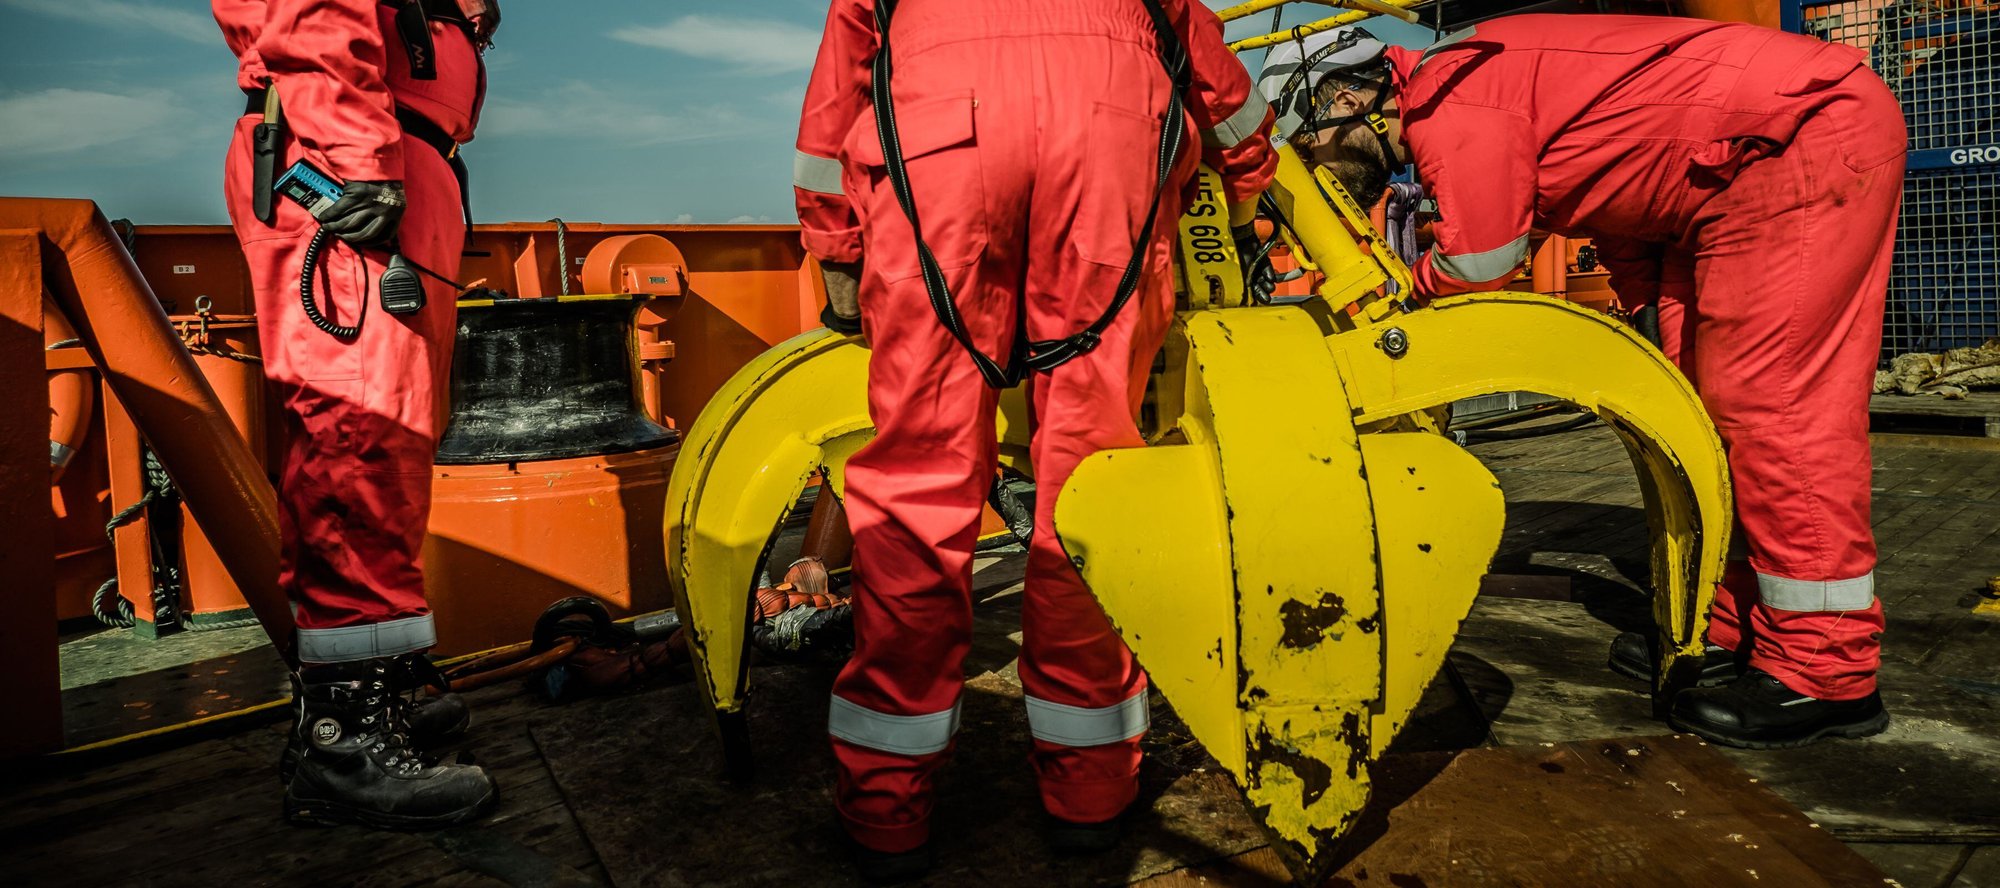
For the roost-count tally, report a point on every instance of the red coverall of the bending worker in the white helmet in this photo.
(1747, 181)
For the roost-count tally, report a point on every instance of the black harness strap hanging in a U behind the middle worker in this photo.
(1039, 355)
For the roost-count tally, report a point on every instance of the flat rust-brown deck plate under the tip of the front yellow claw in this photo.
(1661, 811)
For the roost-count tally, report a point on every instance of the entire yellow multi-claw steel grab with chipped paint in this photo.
(1295, 557)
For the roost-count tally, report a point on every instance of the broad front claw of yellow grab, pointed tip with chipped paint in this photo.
(1247, 567)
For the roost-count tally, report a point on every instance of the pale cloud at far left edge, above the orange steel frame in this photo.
(67, 123)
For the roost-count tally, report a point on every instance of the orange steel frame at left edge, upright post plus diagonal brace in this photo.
(69, 251)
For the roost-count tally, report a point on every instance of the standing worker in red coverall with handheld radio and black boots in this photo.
(377, 95)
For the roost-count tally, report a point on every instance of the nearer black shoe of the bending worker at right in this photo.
(1759, 713)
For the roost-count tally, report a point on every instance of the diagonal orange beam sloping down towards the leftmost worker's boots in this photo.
(171, 403)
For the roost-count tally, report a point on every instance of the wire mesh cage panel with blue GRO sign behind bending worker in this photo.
(1943, 61)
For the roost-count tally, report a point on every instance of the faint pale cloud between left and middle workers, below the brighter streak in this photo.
(579, 109)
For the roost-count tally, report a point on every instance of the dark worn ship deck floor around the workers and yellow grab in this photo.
(589, 789)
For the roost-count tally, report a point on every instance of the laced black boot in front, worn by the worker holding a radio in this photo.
(359, 765)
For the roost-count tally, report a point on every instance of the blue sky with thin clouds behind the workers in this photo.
(607, 111)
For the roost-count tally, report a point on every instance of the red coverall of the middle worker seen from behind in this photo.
(1031, 131)
